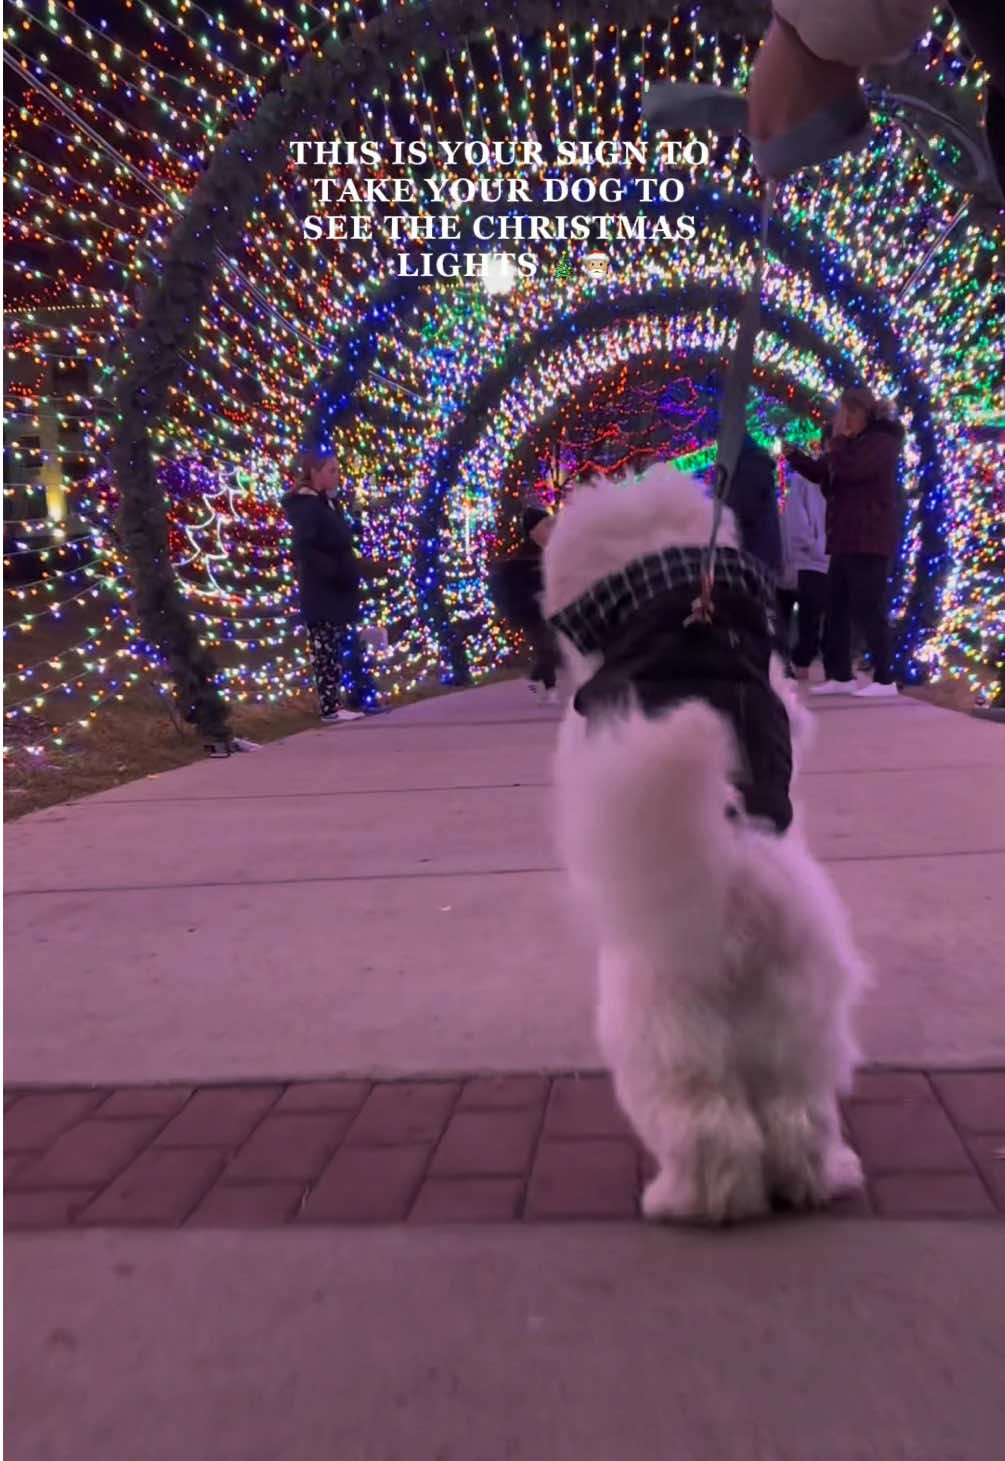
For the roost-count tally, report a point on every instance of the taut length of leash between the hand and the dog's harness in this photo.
(733, 421)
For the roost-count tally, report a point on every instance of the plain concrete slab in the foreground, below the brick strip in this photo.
(809, 1342)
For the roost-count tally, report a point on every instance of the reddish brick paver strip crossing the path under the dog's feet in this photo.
(487, 1149)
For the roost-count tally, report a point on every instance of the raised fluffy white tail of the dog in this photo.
(646, 810)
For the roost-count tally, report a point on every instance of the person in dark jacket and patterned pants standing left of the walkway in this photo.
(328, 581)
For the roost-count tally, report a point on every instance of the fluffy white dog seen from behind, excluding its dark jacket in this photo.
(727, 969)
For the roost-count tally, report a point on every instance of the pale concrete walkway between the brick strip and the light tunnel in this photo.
(383, 899)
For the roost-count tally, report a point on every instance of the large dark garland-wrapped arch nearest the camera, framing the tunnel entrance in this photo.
(213, 223)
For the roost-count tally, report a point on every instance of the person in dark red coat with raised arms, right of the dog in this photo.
(858, 477)
